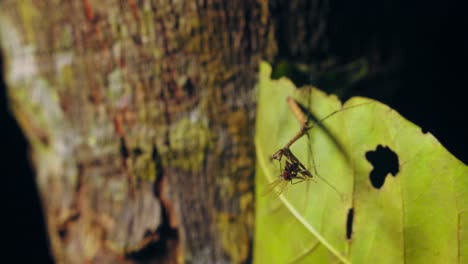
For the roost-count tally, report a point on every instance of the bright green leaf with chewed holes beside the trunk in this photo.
(418, 216)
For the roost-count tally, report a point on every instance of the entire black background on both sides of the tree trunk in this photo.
(417, 52)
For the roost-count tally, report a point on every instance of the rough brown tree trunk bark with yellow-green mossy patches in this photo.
(139, 117)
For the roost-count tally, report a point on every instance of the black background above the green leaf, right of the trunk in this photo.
(416, 50)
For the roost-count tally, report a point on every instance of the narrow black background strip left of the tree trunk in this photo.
(24, 234)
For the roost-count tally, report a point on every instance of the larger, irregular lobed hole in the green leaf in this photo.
(384, 161)
